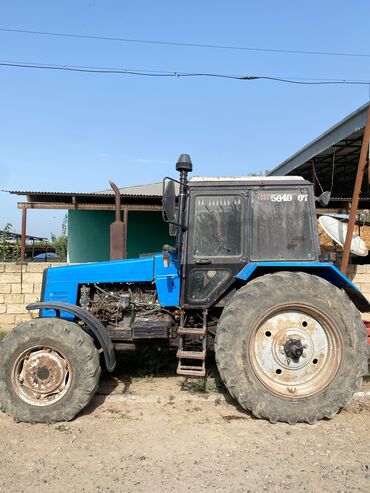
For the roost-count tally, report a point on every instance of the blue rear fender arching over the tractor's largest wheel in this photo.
(325, 270)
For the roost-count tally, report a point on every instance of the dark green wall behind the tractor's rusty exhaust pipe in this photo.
(88, 234)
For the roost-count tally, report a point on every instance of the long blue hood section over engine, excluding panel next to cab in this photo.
(62, 282)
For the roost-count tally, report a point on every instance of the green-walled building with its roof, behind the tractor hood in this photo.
(91, 214)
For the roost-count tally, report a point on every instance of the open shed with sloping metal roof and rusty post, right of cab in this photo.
(336, 162)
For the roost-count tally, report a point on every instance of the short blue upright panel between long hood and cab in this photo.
(167, 280)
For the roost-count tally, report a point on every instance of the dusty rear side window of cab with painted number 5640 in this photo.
(281, 226)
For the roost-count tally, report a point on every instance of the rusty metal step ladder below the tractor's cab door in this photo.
(192, 363)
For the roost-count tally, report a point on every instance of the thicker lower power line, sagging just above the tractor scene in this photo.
(178, 74)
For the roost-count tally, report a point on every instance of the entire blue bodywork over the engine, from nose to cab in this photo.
(62, 283)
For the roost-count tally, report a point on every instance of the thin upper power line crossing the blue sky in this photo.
(190, 45)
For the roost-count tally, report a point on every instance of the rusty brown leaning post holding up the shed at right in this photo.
(356, 194)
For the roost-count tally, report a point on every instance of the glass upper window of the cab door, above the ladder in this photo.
(217, 226)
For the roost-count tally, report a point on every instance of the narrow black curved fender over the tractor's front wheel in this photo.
(96, 327)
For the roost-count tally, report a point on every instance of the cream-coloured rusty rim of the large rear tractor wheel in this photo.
(295, 351)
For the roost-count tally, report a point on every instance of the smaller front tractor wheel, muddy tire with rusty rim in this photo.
(49, 371)
